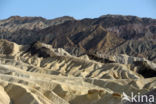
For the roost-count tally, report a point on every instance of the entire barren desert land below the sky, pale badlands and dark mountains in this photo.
(68, 61)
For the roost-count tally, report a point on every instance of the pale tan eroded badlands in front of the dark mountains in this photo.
(40, 74)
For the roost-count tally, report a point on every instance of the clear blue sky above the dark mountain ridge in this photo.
(77, 8)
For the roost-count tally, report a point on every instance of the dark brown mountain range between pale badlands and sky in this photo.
(103, 36)
